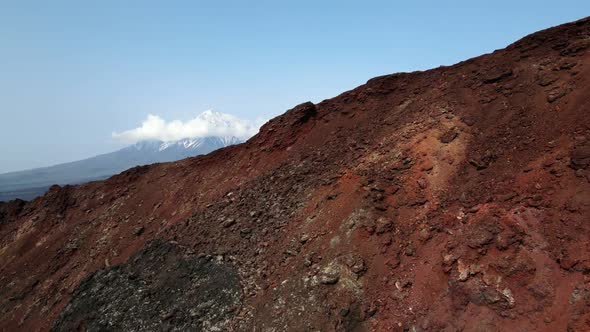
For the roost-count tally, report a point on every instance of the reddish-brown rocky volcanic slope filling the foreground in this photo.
(454, 199)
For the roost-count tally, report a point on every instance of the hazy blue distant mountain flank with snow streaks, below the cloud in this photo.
(32, 183)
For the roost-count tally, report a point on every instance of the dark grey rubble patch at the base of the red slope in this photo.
(160, 288)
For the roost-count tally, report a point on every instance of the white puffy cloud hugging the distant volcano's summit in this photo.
(208, 123)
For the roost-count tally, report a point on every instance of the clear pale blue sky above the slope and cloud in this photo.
(74, 72)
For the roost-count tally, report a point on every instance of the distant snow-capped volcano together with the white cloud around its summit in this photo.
(156, 140)
